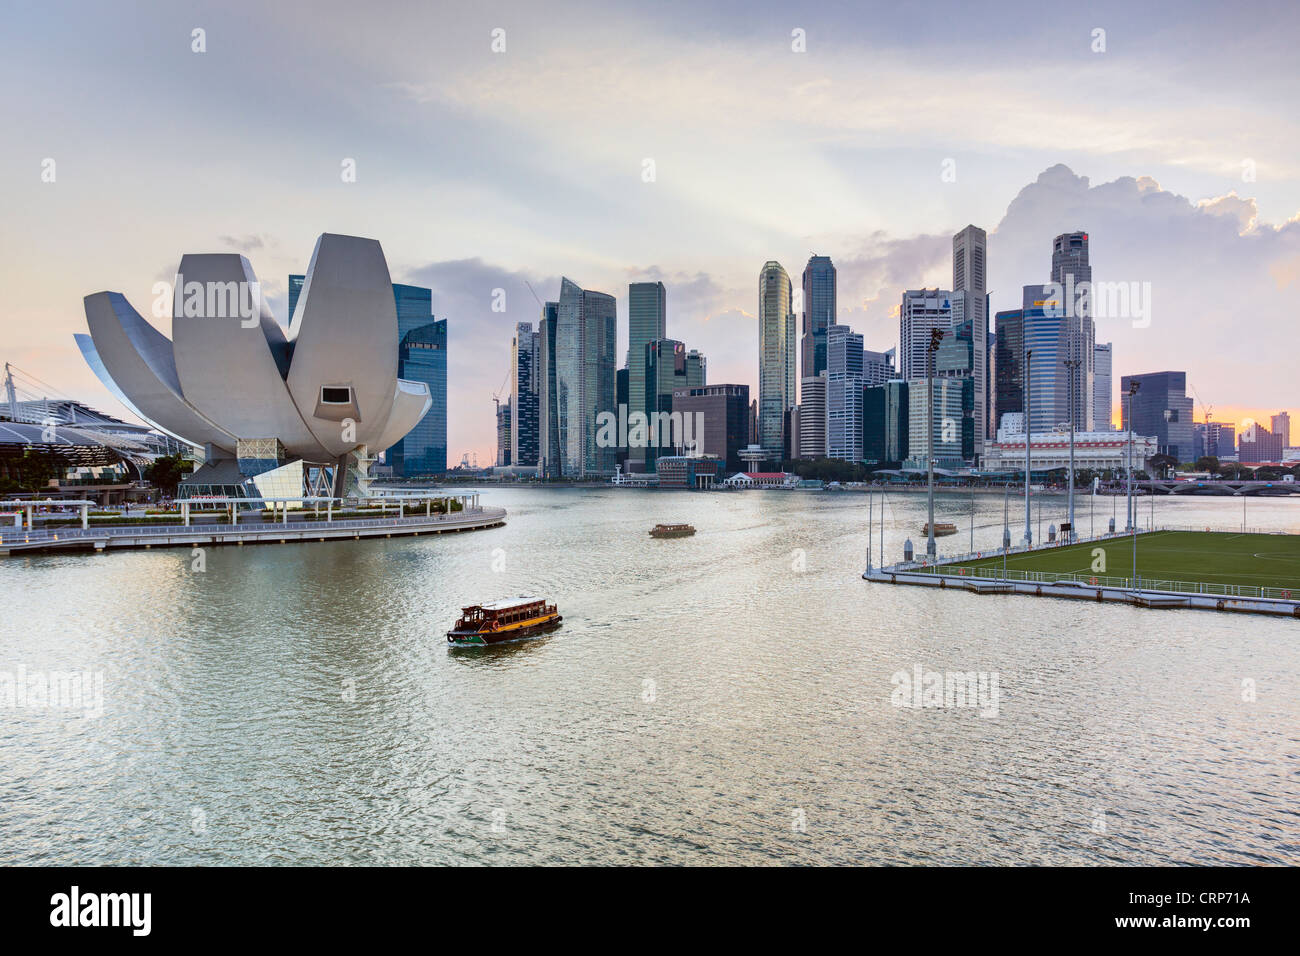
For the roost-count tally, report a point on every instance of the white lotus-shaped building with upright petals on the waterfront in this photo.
(326, 395)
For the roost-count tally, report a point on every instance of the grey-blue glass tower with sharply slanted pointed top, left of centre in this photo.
(584, 383)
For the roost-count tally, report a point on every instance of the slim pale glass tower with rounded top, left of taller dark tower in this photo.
(777, 347)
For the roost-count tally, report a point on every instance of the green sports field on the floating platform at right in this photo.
(1262, 561)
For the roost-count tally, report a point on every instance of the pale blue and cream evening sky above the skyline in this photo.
(505, 145)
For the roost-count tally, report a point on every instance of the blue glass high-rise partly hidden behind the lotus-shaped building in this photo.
(422, 357)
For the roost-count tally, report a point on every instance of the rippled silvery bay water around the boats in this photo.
(718, 699)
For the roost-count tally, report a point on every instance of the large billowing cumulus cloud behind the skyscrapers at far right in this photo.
(1217, 278)
